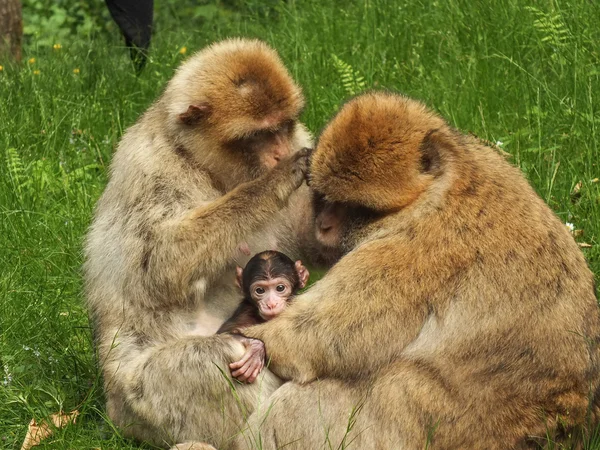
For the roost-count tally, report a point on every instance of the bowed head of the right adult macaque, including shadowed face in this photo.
(376, 157)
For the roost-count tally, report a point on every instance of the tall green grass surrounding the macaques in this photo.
(526, 76)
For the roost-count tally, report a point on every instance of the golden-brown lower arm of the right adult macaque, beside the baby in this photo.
(341, 328)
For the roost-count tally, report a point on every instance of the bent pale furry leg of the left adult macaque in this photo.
(182, 391)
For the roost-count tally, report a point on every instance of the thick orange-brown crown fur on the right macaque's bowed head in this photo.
(371, 153)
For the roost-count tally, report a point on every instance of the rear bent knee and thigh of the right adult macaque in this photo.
(415, 404)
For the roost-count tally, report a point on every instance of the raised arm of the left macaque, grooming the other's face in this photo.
(200, 243)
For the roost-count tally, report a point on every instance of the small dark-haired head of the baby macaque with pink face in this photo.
(270, 280)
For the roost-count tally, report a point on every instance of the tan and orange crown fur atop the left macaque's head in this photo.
(237, 79)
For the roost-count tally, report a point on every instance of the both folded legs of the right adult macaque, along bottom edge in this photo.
(407, 406)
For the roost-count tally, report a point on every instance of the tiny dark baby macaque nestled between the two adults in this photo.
(268, 283)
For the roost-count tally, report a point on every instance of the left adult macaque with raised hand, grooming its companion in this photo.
(211, 172)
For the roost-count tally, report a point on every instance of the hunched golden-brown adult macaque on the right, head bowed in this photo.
(460, 313)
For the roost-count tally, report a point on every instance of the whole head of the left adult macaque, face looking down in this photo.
(235, 107)
